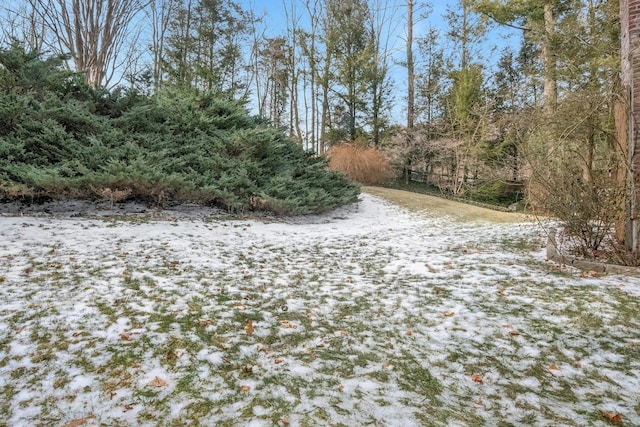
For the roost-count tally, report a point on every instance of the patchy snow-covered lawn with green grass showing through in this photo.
(368, 315)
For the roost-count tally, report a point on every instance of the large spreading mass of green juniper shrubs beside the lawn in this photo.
(60, 138)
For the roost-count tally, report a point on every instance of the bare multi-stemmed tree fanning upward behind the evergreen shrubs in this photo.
(99, 34)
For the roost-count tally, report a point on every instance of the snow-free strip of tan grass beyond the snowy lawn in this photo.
(422, 203)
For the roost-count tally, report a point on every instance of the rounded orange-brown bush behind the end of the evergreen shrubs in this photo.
(364, 165)
